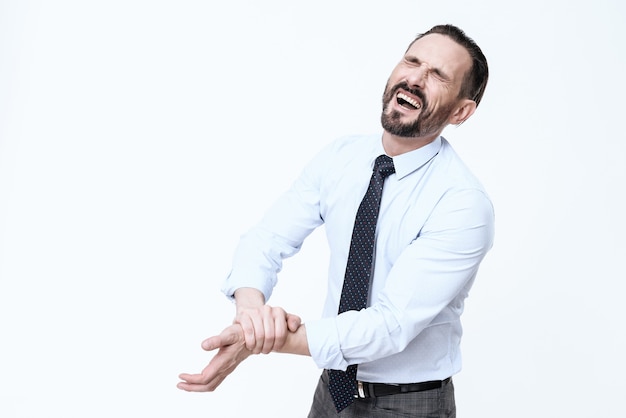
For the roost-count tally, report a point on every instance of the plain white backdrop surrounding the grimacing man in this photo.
(139, 139)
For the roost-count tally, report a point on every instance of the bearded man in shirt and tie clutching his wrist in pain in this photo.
(434, 226)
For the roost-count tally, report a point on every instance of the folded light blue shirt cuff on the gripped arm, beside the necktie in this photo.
(323, 340)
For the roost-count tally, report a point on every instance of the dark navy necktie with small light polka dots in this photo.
(342, 385)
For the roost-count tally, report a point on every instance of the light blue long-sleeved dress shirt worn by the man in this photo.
(435, 226)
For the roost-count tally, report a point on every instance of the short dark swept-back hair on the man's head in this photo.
(475, 81)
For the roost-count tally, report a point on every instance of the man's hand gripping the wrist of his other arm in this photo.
(265, 327)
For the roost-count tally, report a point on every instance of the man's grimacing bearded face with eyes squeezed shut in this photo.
(422, 91)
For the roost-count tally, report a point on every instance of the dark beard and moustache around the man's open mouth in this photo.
(428, 122)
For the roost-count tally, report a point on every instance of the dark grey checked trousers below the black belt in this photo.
(435, 403)
